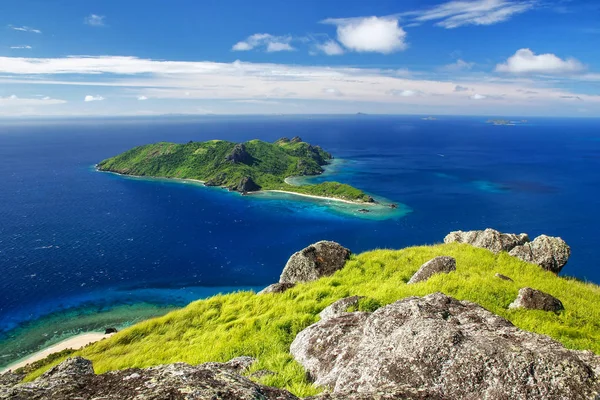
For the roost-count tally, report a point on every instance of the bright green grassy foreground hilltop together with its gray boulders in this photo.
(469, 316)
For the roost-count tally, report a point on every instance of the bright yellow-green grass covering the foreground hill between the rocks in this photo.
(226, 326)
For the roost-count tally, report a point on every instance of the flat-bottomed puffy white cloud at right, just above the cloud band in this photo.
(524, 61)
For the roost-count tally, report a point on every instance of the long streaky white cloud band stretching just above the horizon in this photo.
(276, 85)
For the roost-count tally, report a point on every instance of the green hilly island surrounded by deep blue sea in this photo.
(244, 167)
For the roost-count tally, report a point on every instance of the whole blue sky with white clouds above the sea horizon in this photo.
(153, 57)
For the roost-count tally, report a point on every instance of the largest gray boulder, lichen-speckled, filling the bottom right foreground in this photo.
(446, 348)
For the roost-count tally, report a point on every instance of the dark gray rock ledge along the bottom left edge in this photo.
(74, 379)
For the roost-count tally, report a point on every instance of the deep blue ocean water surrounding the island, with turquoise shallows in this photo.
(80, 249)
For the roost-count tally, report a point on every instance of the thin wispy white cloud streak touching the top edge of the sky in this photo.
(458, 13)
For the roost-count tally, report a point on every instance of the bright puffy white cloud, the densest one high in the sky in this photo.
(370, 34)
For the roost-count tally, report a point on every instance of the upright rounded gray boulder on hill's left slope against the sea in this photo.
(317, 260)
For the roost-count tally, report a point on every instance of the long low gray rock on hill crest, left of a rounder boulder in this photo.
(489, 239)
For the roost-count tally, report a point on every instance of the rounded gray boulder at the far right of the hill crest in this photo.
(550, 253)
